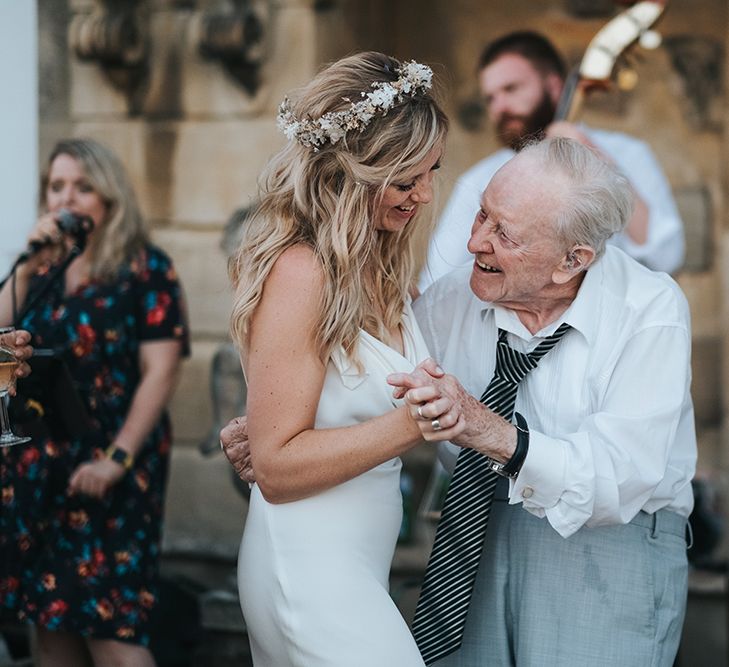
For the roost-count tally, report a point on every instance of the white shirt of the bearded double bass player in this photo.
(662, 251)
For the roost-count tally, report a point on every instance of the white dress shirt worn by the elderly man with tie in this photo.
(609, 408)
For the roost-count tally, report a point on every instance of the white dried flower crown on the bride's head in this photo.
(332, 126)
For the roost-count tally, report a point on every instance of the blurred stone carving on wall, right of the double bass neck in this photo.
(699, 62)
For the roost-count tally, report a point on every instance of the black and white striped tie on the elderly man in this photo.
(440, 616)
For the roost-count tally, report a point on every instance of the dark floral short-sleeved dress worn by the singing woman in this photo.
(75, 563)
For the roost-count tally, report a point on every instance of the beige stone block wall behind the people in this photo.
(194, 133)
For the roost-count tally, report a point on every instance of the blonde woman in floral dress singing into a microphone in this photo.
(81, 518)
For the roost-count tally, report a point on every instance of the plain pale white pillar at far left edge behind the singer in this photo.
(18, 126)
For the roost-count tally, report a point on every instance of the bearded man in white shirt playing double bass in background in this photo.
(521, 77)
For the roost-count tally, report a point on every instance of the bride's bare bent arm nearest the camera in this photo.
(291, 459)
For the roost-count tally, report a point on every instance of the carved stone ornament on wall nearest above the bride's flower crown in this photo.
(235, 37)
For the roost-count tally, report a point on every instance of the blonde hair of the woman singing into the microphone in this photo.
(123, 233)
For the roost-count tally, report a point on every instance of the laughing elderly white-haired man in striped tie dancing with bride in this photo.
(584, 557)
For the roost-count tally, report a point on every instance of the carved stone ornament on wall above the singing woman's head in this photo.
(115, 37)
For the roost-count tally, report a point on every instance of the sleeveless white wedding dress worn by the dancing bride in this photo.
(313, 574)
